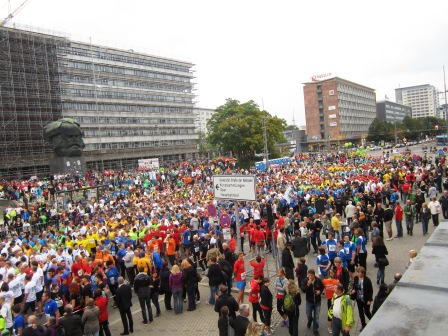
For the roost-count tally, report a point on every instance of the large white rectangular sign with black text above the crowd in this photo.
(234, 187)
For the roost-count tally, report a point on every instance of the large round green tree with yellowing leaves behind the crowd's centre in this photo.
(238, 128)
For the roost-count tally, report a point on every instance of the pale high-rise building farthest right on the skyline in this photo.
(423, 99)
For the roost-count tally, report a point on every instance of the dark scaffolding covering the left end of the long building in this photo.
(29, 99)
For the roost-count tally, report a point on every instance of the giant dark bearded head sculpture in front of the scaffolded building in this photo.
(66, 137)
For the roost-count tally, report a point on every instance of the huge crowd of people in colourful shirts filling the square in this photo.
(149, 234)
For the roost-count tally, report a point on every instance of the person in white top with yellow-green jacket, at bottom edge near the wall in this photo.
(341, 312)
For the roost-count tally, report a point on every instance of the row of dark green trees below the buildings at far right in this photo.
(410, 129)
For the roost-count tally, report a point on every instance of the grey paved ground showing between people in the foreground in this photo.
(203, 321)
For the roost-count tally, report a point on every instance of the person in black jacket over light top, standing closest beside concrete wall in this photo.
(363, 294)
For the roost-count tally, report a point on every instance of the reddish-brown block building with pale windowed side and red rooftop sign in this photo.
(337, 110)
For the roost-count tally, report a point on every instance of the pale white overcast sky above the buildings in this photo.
(265, 50)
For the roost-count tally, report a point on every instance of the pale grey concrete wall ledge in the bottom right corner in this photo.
(419, 303)
